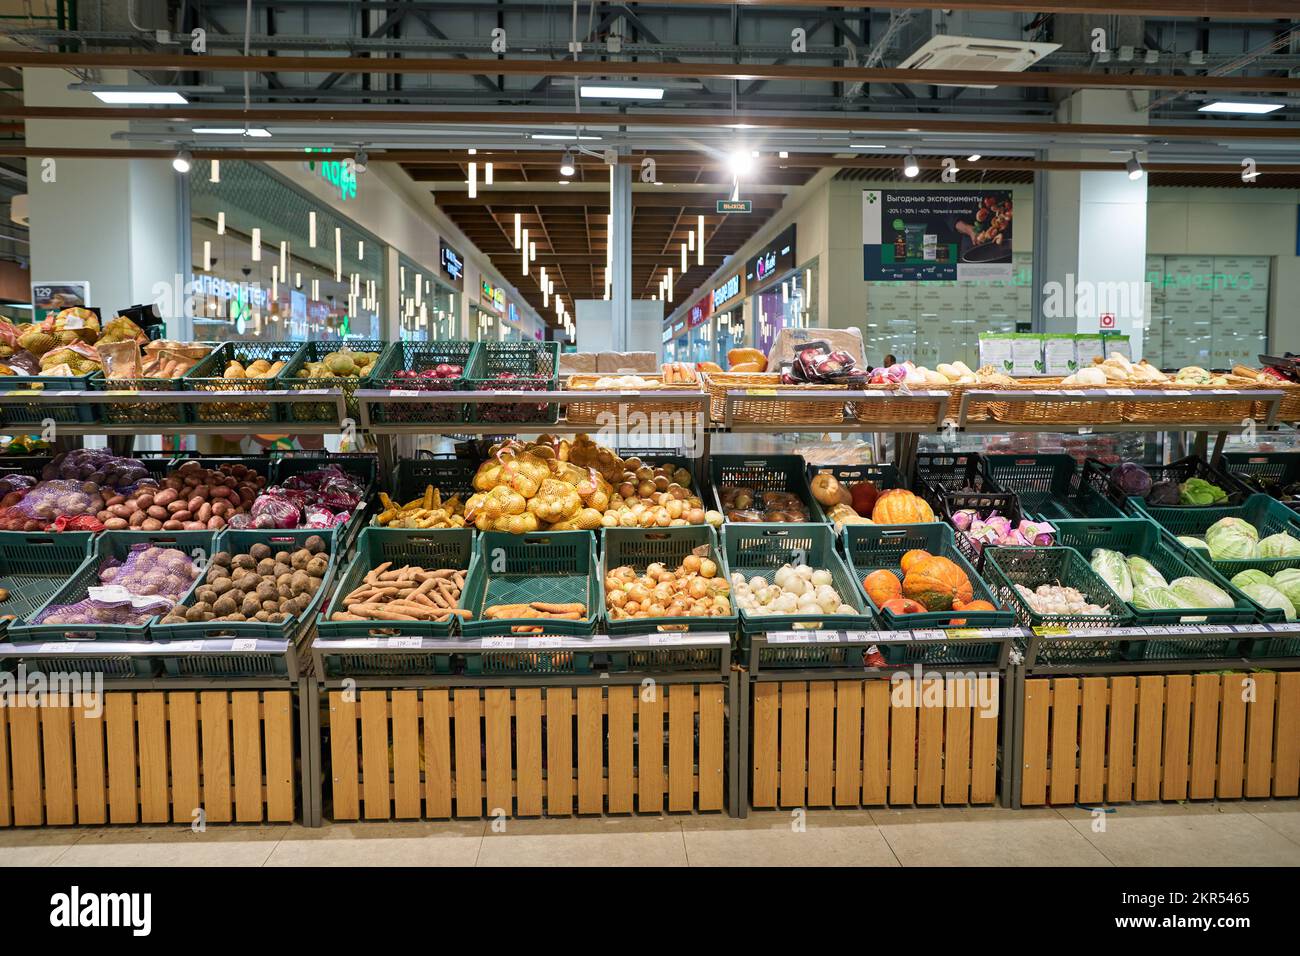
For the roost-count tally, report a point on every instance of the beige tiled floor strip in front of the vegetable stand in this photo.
(1250, 834)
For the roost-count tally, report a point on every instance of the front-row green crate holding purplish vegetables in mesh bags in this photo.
(110, 546)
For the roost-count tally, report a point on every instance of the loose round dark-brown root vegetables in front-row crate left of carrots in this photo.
(265, 585)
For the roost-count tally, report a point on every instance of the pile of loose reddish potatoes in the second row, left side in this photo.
(190, 499)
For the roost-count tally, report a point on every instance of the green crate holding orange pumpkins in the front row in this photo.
(881, 547)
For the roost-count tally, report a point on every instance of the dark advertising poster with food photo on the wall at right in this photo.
(937, 235)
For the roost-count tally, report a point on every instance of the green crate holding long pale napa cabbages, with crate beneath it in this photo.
(1145, 539)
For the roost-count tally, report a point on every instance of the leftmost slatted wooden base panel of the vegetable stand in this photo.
(150, 758)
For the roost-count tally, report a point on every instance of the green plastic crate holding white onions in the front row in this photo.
(761, 550)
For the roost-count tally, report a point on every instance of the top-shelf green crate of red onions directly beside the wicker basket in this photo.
(535, 366)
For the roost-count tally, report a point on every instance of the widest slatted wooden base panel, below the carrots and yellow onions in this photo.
(526, 751)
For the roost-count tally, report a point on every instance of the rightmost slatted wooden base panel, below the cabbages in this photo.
(1178, 737)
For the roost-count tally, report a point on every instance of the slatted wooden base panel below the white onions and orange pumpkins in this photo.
(850, 743)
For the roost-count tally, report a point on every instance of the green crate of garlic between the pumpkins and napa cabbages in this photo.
(1006, 568)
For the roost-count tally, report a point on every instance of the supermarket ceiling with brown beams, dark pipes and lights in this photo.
(850, 88)
